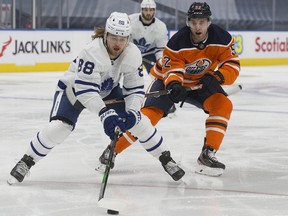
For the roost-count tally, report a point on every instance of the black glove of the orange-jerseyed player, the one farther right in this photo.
(210, 86)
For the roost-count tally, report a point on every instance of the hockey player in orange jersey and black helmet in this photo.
(199, 56)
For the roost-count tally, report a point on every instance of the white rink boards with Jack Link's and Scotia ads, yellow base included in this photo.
(53, 50)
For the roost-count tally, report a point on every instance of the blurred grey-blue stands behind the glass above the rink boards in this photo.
(85, 14)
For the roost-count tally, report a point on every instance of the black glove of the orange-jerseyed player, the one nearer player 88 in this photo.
(177, 91)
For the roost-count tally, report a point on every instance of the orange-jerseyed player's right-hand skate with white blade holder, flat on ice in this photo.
(208, 163)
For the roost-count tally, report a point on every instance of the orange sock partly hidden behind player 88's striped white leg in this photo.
(153, 113)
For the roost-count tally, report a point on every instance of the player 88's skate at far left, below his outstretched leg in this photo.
(20, 170)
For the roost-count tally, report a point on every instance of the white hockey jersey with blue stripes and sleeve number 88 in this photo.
(94, 75)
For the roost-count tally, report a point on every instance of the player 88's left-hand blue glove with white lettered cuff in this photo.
(110, 119)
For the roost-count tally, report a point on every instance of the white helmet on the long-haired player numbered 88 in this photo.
(118, 24)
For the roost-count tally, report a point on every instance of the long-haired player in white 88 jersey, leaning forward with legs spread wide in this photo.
(92, 78)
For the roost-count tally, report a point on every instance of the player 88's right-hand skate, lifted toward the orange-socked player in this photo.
(170, 166)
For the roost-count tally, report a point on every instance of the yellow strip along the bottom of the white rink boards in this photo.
(63, 66)
